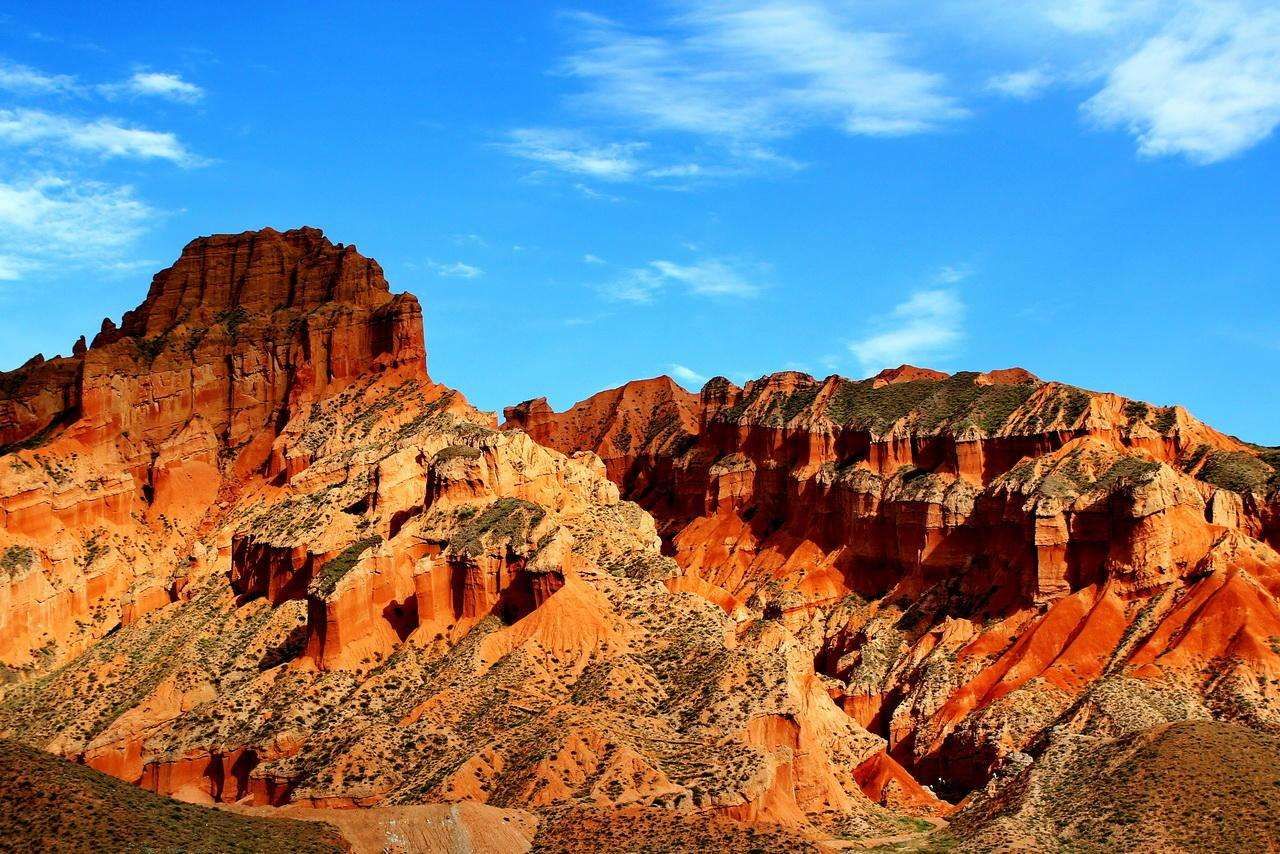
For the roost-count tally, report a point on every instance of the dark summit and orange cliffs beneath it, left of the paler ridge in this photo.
(120, 456)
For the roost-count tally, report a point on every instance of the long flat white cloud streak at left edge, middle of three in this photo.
(103, 138)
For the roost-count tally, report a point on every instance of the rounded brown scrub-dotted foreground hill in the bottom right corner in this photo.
(1197, 787)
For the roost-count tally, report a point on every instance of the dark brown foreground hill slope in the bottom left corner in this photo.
(49, 805)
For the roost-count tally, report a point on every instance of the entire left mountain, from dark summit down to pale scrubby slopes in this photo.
(253, 554)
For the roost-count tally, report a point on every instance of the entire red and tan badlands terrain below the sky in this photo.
(254, 559)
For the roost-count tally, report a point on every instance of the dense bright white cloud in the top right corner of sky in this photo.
(1206, 86)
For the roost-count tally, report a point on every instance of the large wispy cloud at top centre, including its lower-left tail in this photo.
(734, 79)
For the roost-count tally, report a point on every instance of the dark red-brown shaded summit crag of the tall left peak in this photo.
(236, 330)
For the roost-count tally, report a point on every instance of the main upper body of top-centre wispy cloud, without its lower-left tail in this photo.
(744, 71)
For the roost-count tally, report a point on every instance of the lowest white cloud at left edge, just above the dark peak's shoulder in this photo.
(56, 221)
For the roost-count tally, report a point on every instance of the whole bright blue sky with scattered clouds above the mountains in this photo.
(583, 195)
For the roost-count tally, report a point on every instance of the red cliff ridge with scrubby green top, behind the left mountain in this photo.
(972, 560)
